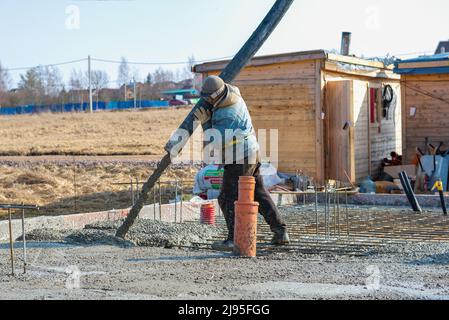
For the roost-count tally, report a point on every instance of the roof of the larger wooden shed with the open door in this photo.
(292, 57)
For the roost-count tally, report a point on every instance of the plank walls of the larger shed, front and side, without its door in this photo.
(290, 97)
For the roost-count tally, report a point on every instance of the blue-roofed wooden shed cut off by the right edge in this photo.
(425, 102)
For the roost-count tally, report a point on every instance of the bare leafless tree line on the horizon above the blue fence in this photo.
(44, 85)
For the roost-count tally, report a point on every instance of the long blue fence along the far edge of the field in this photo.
(81, 107)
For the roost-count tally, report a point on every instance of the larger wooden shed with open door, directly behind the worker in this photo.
(309, 97)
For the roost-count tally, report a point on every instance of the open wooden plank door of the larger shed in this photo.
(339, 136)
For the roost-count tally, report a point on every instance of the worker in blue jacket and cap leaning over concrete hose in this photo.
(240, 156)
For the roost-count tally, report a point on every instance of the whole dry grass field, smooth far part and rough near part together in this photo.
(51, 184)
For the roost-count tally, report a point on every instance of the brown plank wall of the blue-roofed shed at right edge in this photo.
(432, 115)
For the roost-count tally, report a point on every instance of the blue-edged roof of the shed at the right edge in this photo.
(434, 64)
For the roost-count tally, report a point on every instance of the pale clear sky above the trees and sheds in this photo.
(53, 31)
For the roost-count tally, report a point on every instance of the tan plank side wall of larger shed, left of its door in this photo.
(283, 97)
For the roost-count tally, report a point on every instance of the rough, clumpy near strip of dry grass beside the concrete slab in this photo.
(52, 186)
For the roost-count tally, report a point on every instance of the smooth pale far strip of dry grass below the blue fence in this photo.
(102, 133)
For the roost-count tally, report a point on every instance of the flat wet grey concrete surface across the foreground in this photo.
(107, 272)
